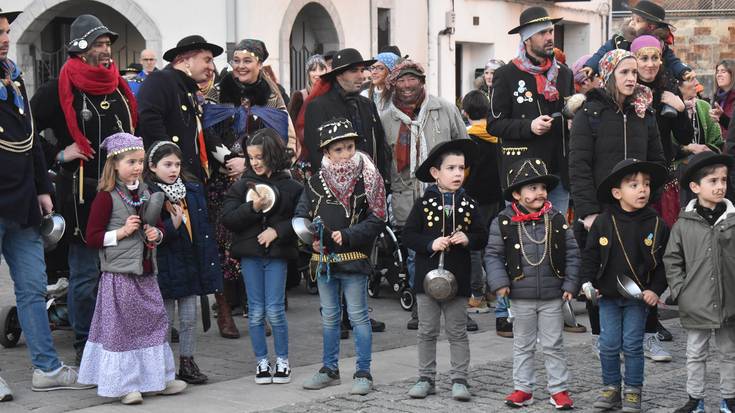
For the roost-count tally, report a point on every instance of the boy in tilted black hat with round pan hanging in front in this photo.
(444, 223)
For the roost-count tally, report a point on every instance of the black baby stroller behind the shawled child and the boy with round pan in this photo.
(388, 261)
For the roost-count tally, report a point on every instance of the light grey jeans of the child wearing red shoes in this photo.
(538, 320)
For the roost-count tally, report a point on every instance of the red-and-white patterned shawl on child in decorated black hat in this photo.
(341, 178)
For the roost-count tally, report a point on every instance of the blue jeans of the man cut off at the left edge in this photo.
(23, 251)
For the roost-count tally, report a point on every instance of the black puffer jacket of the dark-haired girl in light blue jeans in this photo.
(245, 223)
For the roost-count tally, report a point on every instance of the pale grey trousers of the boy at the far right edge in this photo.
(697, 354)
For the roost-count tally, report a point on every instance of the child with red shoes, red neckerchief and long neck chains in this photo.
(533, 258)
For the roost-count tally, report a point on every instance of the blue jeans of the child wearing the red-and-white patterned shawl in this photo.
(354, 287)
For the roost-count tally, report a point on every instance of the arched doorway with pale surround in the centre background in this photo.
(313, 27)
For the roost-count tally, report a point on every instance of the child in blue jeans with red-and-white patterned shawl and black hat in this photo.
(346, 201)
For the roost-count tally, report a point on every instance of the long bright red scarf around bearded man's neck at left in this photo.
(94, 80)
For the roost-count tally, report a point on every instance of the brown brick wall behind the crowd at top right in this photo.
(701, 42)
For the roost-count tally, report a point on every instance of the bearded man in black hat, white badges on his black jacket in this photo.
(527, 99)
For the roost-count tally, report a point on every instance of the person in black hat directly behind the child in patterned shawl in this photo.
(338, 95)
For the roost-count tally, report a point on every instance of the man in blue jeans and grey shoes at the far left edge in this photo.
(24, 196)
